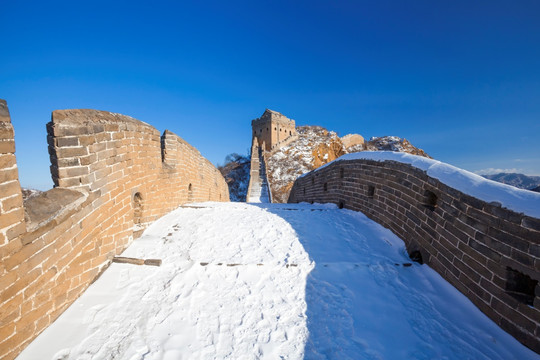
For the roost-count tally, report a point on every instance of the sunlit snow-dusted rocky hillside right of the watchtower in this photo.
(317, 146)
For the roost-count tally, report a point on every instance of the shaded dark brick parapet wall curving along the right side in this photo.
(478, 247)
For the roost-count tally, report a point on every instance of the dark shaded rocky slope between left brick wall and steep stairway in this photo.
(236, 174)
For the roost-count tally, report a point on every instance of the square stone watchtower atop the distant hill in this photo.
(273, 129)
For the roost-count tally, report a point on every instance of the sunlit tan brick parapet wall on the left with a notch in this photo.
(115, 175)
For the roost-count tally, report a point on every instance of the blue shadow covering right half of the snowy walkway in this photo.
(367, 300)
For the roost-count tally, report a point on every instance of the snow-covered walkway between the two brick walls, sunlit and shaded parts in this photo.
(272, 281)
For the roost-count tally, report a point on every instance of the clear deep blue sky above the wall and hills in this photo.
(459, 79)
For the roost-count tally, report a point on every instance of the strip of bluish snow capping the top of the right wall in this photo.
(510, 197)
